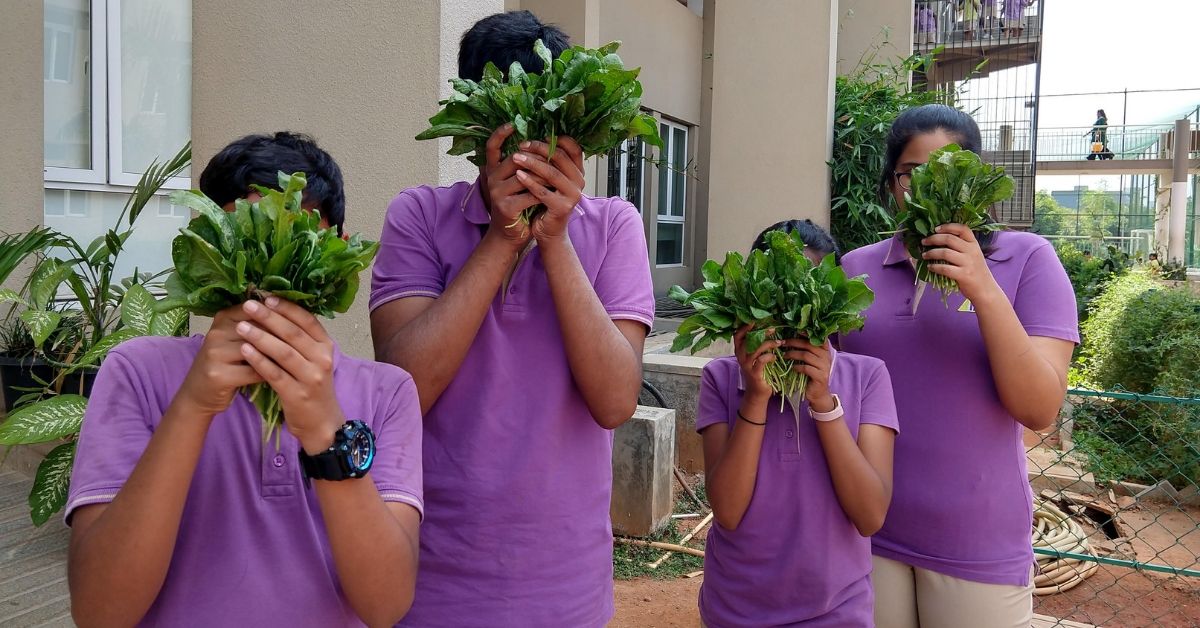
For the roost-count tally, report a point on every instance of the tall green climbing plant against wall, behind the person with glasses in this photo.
(866, 105)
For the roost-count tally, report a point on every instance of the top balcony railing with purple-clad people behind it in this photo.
(965, 23)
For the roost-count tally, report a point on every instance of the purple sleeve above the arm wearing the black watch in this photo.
(398, 466)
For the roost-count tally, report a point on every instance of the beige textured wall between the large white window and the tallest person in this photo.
(364, 105)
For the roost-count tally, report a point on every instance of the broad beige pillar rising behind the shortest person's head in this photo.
(771, 117)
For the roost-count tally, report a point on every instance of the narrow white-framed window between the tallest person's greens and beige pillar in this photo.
(673, 195)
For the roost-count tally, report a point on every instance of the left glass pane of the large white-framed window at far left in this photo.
(67, 89)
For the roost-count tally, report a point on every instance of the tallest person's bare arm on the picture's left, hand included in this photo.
(430, 337)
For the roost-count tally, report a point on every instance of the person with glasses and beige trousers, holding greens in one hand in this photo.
(971, 374)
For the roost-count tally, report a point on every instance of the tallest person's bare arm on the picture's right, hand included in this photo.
(605, 356)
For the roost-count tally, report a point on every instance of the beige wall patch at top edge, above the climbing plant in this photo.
(865, 25)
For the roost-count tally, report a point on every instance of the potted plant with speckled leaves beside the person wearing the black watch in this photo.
(73, 337)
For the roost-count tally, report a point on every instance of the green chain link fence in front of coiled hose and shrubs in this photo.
(1117, 527)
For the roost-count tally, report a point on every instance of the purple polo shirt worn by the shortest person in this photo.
(796, 559)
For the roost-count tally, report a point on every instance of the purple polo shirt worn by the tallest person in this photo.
(519, 475)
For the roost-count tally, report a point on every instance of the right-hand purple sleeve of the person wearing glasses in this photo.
(1046, 301)
